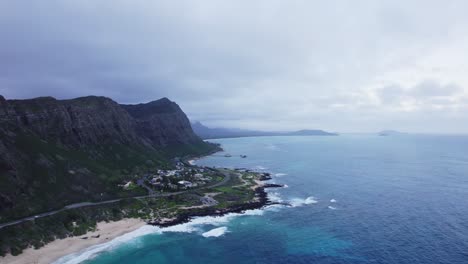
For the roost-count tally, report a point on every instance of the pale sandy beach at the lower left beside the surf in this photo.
(62, 247)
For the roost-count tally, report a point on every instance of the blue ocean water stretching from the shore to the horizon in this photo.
(399, 199)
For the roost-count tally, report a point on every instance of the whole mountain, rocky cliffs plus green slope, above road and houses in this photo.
(58, 152)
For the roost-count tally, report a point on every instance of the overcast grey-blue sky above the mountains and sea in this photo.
(346, 66)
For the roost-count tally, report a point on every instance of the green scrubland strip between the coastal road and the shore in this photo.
(76, 222)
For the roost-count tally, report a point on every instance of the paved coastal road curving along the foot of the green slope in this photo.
(227, 177)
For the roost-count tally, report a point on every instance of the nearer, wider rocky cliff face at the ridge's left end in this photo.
(77, 122)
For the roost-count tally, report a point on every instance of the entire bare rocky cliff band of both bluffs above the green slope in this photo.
(97, 120)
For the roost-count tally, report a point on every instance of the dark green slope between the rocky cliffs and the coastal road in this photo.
(53, 176)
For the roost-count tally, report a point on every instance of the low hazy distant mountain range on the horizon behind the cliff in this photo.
(210, 133)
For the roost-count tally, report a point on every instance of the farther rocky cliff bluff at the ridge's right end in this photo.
(162, 122)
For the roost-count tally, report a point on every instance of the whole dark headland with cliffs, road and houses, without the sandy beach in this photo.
(66, 165)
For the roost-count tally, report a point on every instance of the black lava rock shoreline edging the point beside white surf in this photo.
(261, 200)
